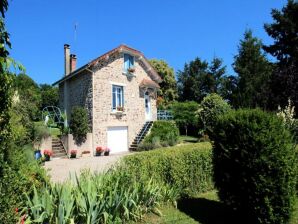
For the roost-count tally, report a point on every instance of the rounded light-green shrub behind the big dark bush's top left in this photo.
(211, 107)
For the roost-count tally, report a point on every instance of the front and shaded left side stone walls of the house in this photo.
(94, 92)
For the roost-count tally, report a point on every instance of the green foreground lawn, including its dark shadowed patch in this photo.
(204, 209)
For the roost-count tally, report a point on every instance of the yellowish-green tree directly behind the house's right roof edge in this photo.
(168, 86)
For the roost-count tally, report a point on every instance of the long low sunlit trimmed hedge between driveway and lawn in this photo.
(187, 167)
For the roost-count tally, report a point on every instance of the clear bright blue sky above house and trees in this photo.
(174, 30)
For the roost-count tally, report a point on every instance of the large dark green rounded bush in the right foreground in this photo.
(255, 165)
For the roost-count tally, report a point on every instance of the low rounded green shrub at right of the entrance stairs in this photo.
(162, 133)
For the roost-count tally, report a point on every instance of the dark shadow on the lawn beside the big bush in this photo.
(208, 211)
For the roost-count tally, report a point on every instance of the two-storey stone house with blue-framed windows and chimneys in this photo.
(118, 89)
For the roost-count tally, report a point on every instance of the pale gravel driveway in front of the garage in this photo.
(61, 169)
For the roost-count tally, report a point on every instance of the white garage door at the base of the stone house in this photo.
(117, 139)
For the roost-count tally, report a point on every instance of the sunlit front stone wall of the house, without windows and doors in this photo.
(110, 73)
